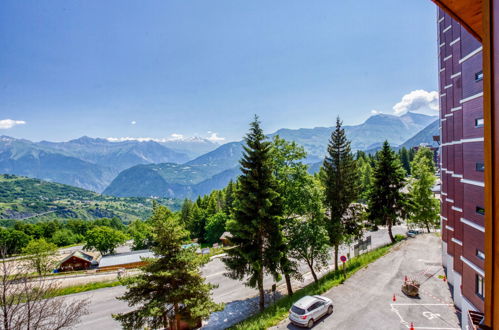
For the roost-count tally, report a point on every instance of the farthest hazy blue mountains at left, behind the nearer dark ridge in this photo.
(87, 162)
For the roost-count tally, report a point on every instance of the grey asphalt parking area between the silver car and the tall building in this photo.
(365, 300)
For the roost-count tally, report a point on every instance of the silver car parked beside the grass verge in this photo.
(309, 309)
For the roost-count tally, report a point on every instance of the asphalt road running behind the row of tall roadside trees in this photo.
(239, 298)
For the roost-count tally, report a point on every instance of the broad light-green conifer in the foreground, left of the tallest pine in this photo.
(170, 288)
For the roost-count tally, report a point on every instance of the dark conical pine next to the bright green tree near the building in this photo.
(387, 203)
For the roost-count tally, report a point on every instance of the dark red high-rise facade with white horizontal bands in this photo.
(462, 163)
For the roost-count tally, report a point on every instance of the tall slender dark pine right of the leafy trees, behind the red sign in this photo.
(341, 182)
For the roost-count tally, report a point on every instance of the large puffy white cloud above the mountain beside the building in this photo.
(420, 101)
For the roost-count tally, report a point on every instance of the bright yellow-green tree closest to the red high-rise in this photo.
(424, 207)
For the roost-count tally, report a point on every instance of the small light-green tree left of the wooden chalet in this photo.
(40, 255)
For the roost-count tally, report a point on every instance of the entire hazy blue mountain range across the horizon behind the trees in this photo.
(129, 167)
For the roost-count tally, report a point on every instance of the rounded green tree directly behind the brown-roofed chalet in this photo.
(104, 239)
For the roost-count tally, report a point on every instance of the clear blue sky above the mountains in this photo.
(157, 68)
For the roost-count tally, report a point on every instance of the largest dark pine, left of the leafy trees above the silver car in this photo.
(256, 227)
